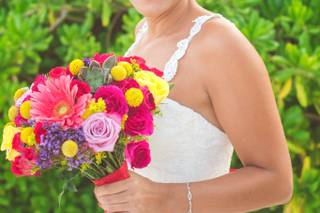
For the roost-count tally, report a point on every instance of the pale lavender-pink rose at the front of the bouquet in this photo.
(102, 131)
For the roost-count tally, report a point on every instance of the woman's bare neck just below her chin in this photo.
(168, 21)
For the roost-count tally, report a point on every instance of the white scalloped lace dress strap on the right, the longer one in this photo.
(170, 68)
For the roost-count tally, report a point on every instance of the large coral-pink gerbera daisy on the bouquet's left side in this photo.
(57, 101)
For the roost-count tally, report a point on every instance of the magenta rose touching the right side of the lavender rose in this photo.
(139, 122)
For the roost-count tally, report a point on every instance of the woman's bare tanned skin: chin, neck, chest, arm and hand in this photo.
(232, 90)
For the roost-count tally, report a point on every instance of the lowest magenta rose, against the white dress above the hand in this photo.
(138, 154)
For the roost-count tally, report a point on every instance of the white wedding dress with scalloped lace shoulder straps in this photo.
(185, 146)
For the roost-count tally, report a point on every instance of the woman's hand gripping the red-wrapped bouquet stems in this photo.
(136, 194)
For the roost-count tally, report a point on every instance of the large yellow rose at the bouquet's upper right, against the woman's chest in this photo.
(157, 85)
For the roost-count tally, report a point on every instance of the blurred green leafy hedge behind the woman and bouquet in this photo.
(37, 35)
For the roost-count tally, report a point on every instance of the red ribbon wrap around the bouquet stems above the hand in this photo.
(119, 174)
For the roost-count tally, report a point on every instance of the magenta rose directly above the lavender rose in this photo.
(114, 98)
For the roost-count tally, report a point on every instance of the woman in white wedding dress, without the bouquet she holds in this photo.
(222, 100)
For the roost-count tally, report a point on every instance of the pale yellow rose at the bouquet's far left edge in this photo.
(8, 134)
